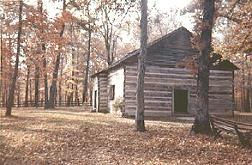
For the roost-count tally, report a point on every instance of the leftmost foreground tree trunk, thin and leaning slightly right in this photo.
(15, 74)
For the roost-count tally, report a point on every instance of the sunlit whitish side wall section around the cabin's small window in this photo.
(116, 77)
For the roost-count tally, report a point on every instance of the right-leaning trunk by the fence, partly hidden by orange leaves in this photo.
(53, 88)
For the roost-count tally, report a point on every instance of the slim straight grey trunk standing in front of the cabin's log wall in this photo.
(139, 118)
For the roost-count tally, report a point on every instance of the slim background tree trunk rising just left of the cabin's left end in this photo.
(84, 99)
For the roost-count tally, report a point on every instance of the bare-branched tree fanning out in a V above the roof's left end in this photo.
(113, 16)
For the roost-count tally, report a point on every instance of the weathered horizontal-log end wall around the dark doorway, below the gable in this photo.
(160, 83)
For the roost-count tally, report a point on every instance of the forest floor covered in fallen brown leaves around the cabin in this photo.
(72, 136)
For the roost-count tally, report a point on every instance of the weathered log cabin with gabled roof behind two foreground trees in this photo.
(169, 89)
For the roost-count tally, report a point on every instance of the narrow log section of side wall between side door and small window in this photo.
(102, 92)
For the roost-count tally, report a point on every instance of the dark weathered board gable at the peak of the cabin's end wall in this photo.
(171, 50)
